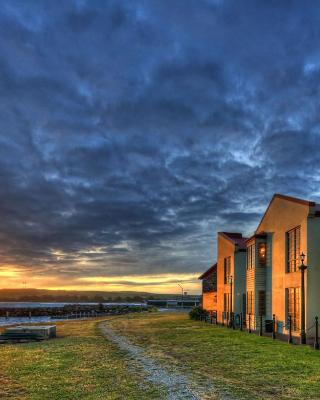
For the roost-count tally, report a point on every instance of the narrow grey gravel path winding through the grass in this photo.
(175, 384)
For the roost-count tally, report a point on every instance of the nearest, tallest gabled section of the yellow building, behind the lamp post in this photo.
(289, 227)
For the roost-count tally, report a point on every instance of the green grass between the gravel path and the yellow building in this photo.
(247, 366)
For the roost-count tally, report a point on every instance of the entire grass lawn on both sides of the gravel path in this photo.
(81, 364)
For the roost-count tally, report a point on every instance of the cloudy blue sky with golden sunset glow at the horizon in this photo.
(132, 131)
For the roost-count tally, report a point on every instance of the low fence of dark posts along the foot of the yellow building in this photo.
(260, 325)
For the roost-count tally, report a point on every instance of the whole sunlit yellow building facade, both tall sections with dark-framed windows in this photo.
(260, 277)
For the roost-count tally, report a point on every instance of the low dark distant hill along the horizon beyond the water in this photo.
(43, 295)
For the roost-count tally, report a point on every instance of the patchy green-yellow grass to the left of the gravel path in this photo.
(80, 364)
